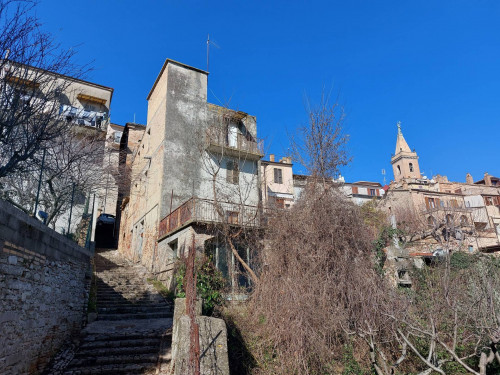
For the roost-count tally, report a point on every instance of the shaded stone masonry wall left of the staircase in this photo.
(44, 279)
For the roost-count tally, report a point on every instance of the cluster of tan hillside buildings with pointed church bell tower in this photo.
(442, 214)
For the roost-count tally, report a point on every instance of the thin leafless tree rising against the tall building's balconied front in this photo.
(231, 189)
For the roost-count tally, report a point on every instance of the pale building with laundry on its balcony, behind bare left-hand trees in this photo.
(64, 100)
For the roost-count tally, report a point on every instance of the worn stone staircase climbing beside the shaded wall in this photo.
(132, 333)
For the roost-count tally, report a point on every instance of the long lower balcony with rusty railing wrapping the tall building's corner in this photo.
(205, 211)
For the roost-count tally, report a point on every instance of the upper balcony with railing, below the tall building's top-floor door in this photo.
(236, 145)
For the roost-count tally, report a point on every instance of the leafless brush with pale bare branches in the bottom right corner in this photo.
(452, 324)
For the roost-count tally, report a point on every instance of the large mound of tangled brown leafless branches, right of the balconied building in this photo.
(319, 292)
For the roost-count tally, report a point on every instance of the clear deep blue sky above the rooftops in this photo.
(433, 65)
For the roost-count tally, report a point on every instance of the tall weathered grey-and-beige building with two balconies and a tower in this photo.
(195, 168)
